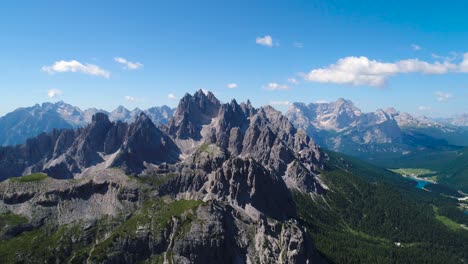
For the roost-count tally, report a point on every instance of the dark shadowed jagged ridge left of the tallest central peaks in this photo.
(69, 153)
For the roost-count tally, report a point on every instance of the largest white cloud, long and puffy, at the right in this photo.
(362, 71)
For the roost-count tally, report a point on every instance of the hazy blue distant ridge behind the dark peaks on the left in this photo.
(28, 122)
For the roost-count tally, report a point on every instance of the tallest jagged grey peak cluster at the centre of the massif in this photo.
(263, 135)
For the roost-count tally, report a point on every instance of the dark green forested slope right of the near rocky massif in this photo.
(373, 216)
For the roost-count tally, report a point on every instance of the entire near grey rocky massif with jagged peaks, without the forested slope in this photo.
(214, 185)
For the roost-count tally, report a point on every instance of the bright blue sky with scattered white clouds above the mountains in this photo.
(406, 54)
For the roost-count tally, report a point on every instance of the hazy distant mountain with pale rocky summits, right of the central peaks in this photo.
(342, 127)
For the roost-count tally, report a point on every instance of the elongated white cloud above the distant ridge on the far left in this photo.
(75, 66)
